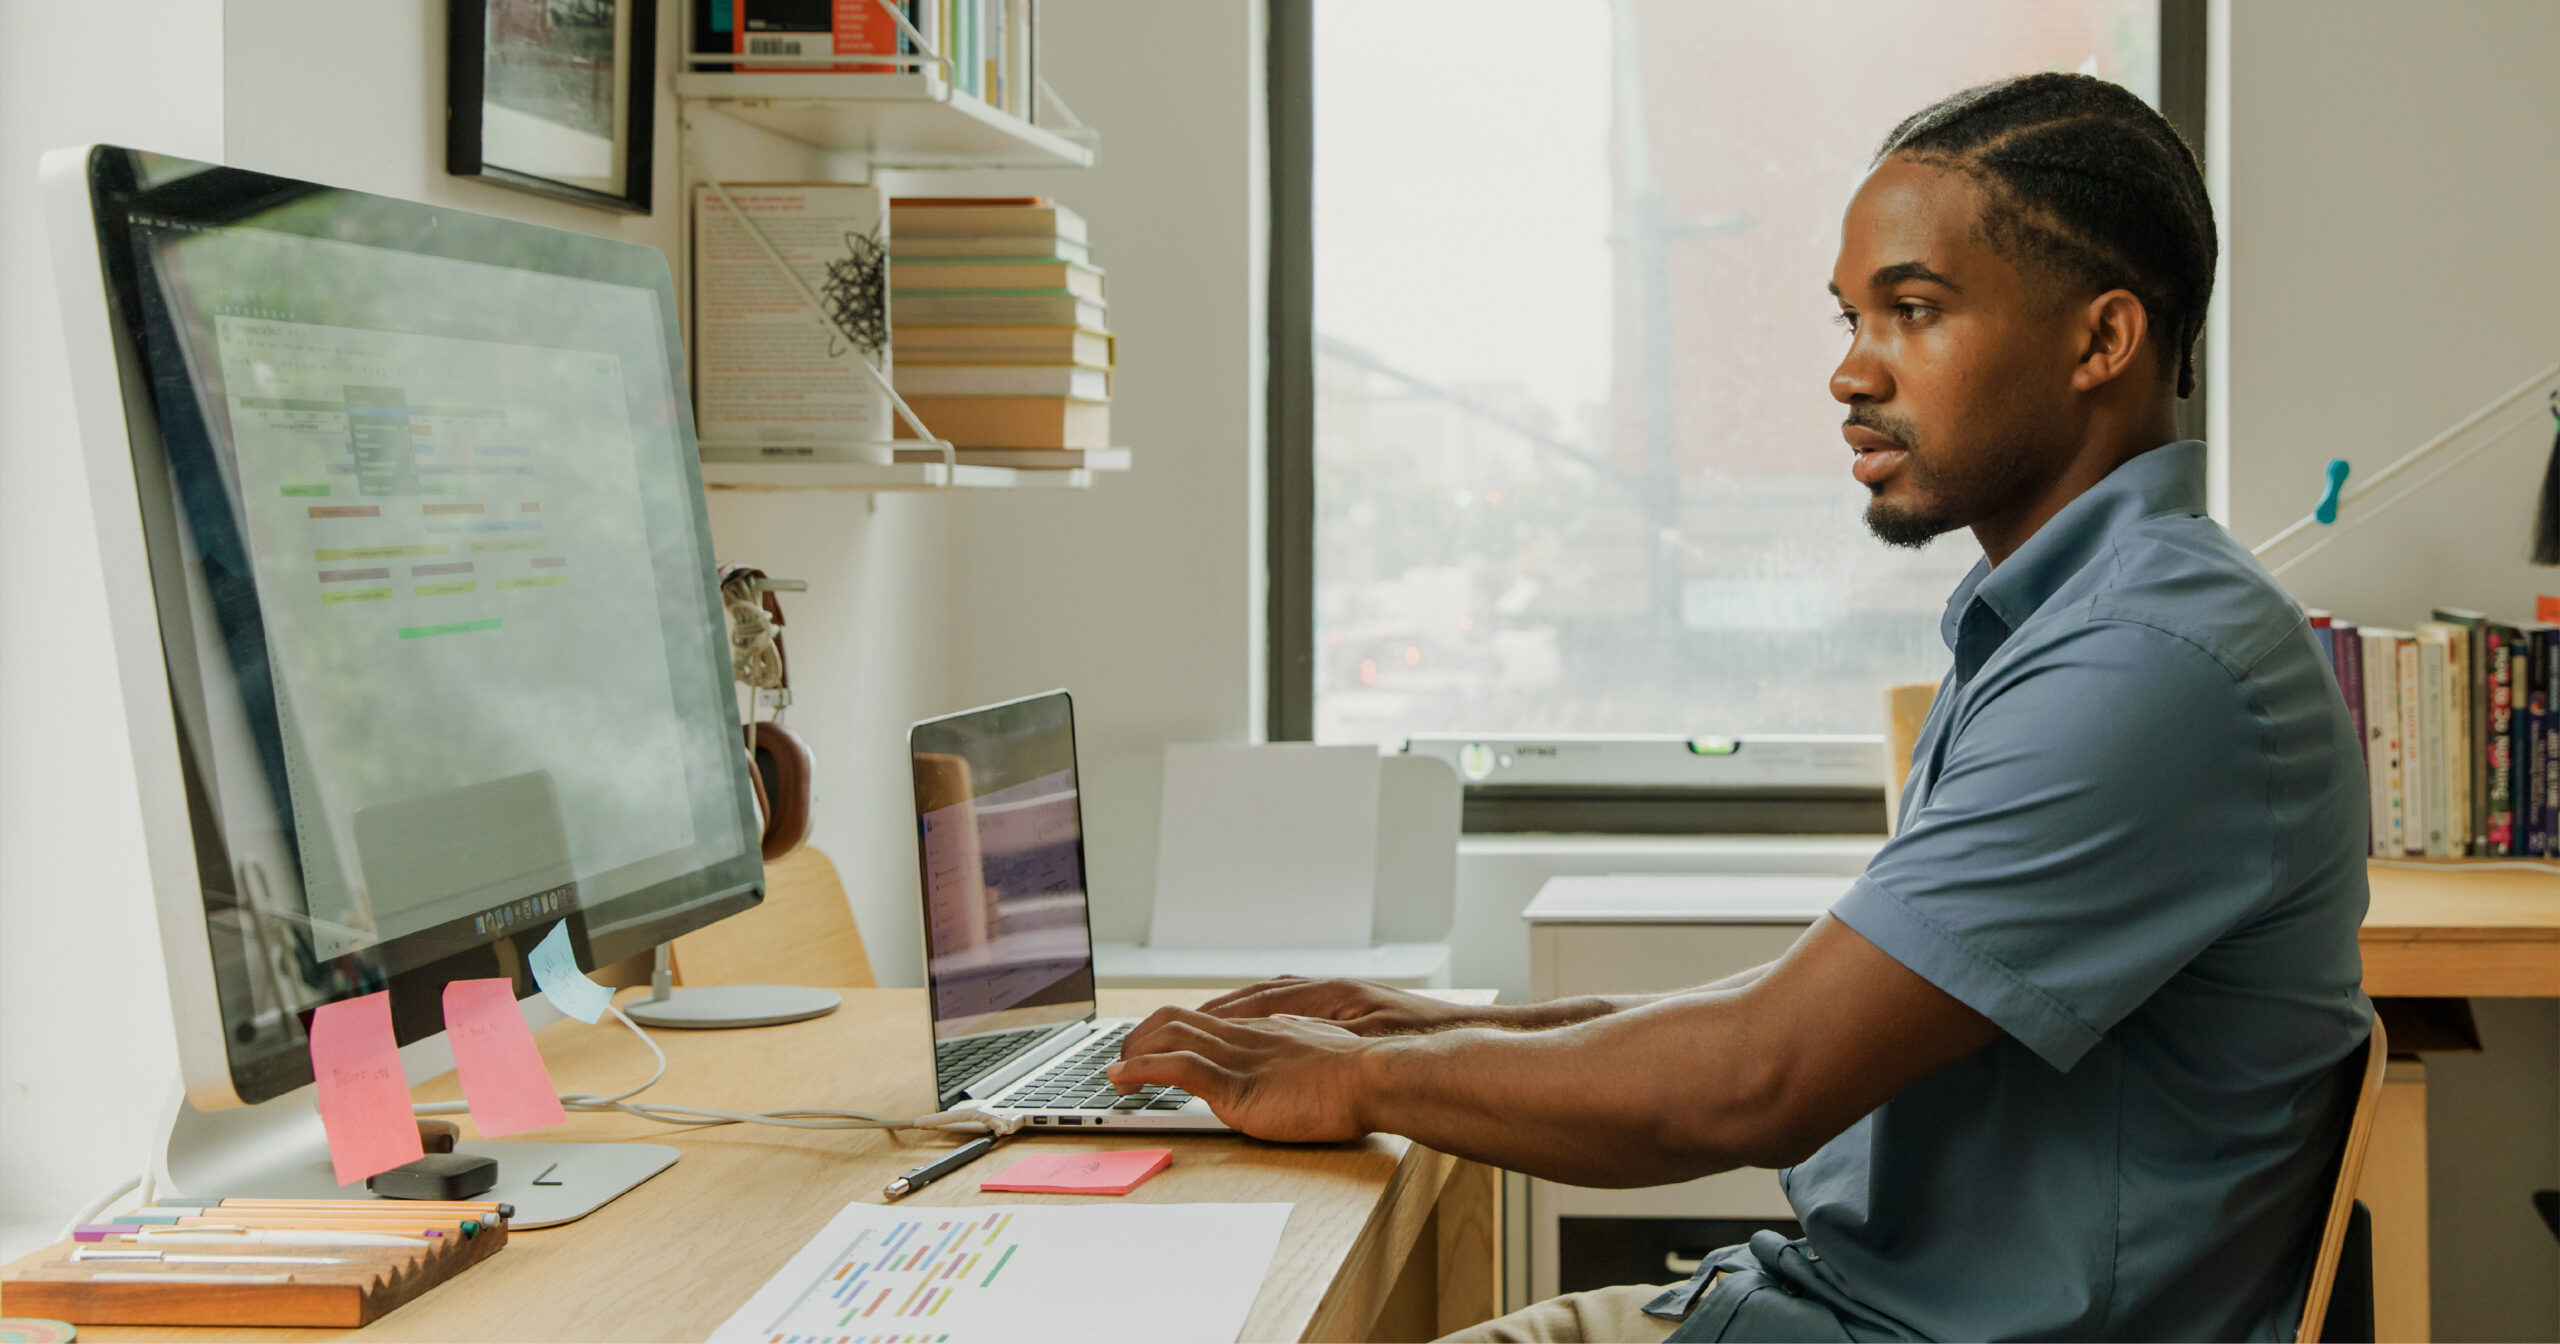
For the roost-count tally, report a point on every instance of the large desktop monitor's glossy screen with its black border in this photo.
(434, 585)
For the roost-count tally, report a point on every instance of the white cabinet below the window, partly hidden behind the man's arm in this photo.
(1650, 933)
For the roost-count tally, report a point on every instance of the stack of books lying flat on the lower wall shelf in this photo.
(1000, 332)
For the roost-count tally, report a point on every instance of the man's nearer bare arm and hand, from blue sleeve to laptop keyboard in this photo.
(1750, 1074)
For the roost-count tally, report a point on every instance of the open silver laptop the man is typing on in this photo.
(1007, 933)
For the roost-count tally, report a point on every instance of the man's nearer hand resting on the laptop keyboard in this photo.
(1286, 1079)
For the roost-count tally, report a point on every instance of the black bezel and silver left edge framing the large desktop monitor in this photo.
(88, 193)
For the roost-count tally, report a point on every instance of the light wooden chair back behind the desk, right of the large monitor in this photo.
(800, 936)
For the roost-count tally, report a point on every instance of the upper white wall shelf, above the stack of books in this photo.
(895, 122)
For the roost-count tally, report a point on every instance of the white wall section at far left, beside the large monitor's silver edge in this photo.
(86, 1048)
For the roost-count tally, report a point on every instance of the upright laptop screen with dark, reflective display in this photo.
(1000, 836)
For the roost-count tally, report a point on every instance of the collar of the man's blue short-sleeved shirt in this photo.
(2167, 480)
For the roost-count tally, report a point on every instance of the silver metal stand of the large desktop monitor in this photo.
(280, 1151)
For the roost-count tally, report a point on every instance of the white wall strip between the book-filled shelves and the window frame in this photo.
(1143, 595)
